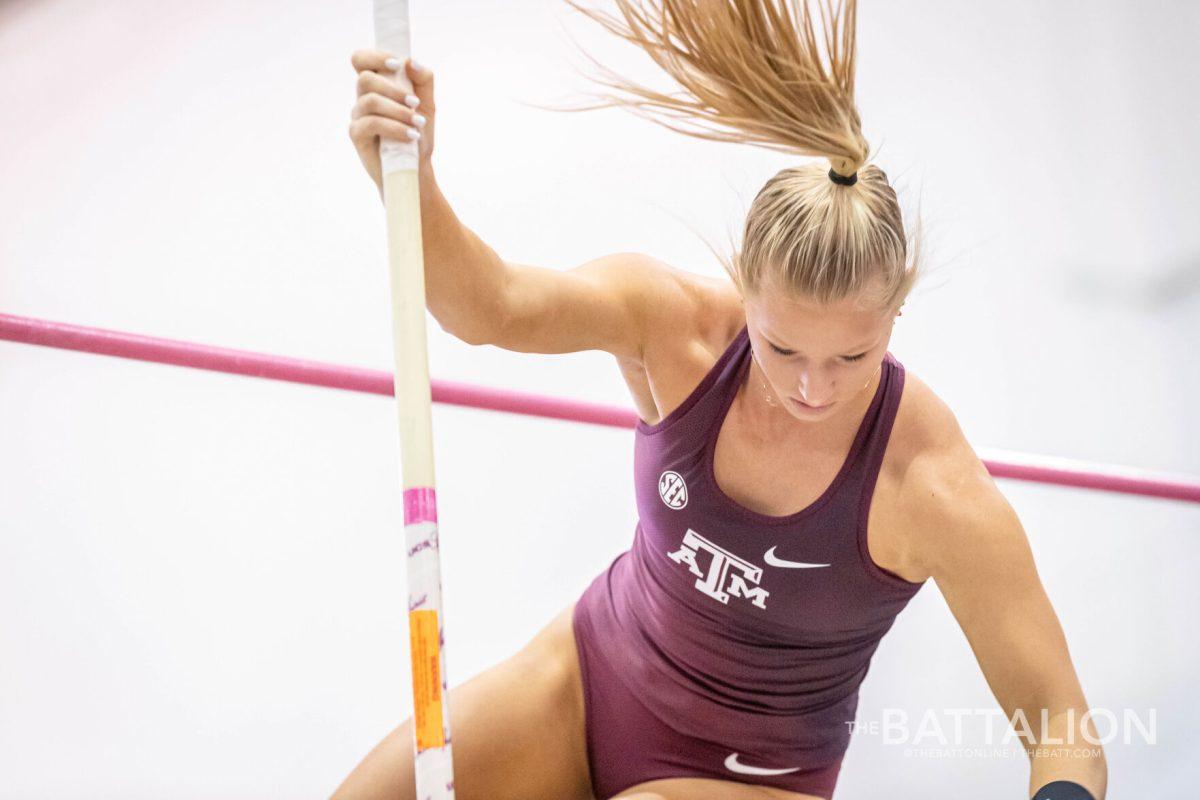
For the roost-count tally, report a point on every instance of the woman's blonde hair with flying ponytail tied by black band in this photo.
(753, 73)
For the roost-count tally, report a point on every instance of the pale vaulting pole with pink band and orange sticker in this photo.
(406, 263)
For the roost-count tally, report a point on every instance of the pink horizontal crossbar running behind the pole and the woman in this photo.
(1040, 470)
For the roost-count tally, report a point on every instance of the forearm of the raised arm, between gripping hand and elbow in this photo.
(465, 279)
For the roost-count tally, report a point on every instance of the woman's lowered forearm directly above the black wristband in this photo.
(1064, 754)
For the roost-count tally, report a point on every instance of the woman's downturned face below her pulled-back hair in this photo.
(817, 358)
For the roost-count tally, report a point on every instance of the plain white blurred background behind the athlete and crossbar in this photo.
(201, 576)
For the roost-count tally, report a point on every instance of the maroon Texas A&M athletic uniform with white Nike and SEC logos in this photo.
(728, 643)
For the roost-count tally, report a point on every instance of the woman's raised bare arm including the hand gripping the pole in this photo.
(614, 304)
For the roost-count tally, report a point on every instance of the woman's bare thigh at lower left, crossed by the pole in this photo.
(517, 729)
